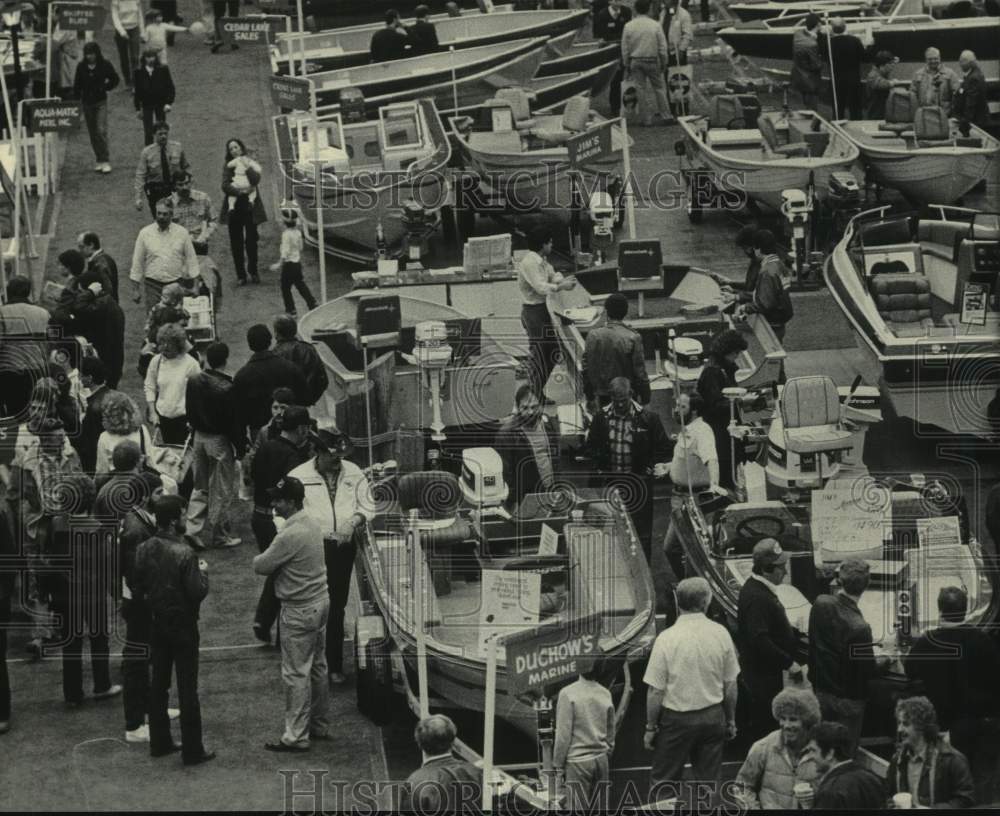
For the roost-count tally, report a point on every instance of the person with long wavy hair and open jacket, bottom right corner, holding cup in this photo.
(934, 773)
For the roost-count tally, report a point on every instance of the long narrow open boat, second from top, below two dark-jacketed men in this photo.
(516, 61)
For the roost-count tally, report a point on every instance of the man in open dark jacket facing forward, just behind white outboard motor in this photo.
(528, 444)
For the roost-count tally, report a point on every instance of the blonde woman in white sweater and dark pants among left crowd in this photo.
(166, 384)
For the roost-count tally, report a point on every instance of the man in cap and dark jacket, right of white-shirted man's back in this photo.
(765, 637)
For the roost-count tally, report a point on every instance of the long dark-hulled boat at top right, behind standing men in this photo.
(905, 32)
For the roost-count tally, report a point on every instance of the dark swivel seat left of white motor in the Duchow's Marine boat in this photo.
(449, 540)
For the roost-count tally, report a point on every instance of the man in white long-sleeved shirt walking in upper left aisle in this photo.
(164, 253)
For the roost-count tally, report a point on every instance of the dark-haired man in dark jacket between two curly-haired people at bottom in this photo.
(842, 784)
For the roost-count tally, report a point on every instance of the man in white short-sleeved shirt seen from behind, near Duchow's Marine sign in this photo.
(691, 700)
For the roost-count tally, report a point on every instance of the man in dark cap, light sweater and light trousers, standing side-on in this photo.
(297, 563)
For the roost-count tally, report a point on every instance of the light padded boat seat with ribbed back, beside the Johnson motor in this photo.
(810, 412)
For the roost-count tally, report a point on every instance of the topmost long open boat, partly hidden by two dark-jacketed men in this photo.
(346, 48)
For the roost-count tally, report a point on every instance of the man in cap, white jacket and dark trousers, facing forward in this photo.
(339, 497)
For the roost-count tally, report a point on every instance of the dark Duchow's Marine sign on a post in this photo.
(550, 654)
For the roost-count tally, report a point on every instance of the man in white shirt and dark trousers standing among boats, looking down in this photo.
(536, 280)
